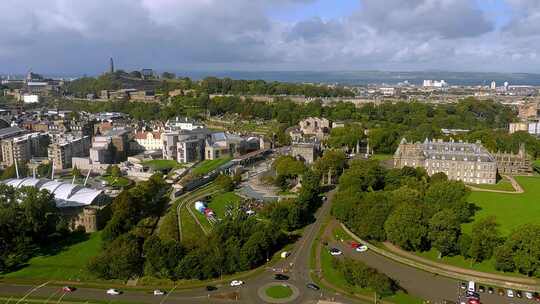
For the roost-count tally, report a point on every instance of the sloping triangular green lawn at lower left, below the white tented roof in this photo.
(68, 264)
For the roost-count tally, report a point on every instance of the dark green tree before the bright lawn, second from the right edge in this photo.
(485, 238)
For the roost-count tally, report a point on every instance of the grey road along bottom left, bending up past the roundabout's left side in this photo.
(248, 293)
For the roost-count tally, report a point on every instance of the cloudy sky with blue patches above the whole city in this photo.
(79, 36)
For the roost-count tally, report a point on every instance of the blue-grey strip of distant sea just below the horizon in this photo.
(376, 77)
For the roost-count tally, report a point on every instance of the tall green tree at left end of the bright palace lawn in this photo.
(444, 232)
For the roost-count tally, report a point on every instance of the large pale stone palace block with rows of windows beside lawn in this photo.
(467, 162)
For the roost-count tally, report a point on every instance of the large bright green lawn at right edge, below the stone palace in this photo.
(511, 210)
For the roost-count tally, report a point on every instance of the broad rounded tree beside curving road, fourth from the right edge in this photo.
(407, 227)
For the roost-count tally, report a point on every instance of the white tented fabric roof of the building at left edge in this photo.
(65, 194)
